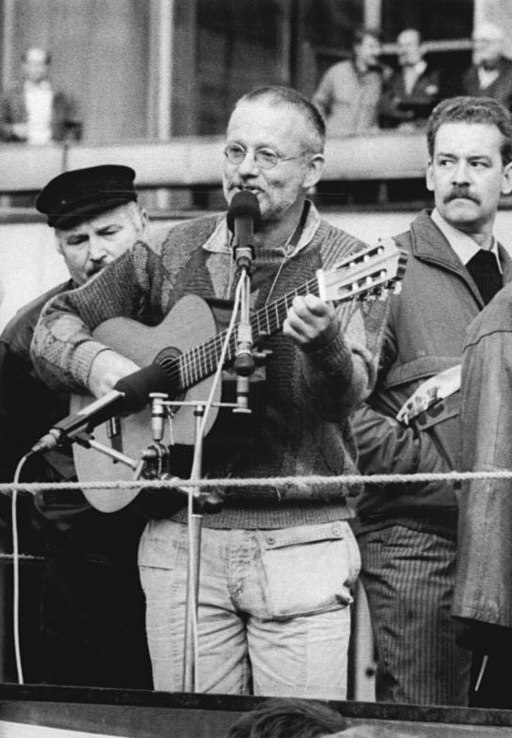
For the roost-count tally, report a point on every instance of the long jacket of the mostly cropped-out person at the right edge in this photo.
(483, 591)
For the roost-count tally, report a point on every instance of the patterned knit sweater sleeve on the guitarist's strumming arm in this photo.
(63, 347)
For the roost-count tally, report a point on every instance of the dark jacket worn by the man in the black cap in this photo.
(61, 521)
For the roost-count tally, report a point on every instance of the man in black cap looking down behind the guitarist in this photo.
(91, 615)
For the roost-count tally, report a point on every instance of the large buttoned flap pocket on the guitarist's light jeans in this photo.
(308, 569)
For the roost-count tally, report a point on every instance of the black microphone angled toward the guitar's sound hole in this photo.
(129, 395)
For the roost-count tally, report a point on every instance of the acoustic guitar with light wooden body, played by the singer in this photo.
(187, 345)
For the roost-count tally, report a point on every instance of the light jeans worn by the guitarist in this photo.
(274, 615)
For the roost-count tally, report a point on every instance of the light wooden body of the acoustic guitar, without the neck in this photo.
(190, 321)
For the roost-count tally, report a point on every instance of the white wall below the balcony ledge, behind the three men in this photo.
(30, 263)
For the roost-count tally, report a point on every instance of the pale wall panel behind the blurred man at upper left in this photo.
(99, 56)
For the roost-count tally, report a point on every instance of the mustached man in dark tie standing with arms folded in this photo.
(408, 532)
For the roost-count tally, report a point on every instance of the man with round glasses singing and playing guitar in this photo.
(277, 565)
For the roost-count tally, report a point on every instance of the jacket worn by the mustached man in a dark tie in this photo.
(424, 335)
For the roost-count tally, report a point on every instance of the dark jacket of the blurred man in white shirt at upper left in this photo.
(65, 120)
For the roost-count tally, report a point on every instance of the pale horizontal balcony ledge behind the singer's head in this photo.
(186, 162)
